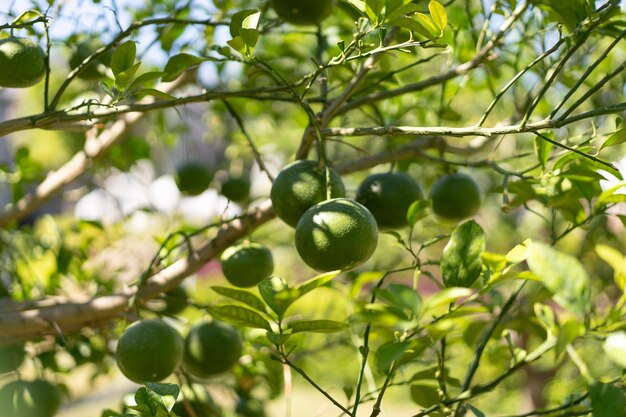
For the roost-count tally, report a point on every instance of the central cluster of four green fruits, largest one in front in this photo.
(333, 232)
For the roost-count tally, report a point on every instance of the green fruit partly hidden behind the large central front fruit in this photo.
(299, 186)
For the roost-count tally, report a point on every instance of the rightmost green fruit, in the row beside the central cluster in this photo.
(455, 197)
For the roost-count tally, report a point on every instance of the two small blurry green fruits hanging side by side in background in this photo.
(193, 178)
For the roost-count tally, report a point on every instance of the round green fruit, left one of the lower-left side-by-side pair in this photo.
(149, 351)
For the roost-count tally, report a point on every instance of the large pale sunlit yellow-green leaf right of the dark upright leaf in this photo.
(561, 274)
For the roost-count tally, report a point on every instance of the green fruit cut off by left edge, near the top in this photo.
(22, 62)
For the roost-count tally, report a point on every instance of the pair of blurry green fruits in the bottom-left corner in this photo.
(19, 398)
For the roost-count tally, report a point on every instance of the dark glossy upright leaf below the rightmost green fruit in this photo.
(461, 263)
